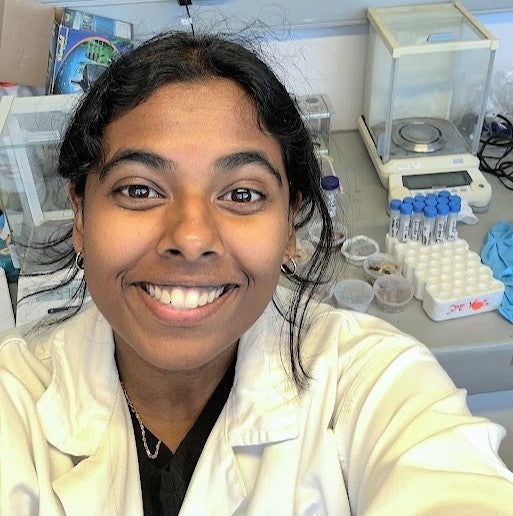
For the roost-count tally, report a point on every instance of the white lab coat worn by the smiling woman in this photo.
(380, 431)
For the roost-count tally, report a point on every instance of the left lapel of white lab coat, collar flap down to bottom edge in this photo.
(83, 415)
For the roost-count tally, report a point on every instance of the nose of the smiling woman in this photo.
(190, 229)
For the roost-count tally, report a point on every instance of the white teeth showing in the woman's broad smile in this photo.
(184, 298)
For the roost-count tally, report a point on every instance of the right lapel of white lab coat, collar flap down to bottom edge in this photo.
(262, 408)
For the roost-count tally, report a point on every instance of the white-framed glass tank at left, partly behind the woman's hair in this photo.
(32, 195)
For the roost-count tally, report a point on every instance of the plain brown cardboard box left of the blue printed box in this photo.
(25, 35)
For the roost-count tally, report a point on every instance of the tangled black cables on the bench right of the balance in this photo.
(495, 154)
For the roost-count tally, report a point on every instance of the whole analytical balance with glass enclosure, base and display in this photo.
(427, 80)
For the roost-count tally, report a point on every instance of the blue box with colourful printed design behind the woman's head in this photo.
(84, 45)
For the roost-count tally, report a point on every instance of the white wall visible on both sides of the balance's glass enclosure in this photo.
(332, 61)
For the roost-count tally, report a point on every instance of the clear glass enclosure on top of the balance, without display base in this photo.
(427, 79)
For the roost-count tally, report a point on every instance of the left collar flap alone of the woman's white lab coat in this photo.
(77, 406)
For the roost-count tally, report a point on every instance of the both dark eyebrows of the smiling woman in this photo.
(157, 162)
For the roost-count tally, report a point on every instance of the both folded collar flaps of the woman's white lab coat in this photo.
(77, 407)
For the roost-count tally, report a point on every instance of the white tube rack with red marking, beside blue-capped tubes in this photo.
(448, 278)
